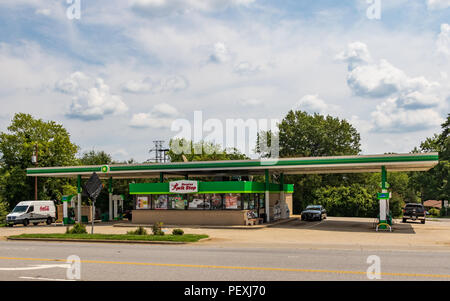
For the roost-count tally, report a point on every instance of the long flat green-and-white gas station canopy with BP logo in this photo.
(305, 165)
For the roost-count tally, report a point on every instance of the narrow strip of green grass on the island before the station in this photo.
(169, 237)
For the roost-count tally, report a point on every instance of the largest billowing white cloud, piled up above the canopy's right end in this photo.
(413, 103)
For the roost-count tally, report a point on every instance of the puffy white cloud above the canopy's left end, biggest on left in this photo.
(91, 97)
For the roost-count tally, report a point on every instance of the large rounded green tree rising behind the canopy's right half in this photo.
(303, 135)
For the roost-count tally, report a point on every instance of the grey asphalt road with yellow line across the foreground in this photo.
(46, 261)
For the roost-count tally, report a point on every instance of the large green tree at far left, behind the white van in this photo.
(17, 145)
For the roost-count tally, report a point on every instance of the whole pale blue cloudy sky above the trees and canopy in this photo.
(117, 77)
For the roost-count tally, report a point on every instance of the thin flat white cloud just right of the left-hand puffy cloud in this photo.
(166, 85)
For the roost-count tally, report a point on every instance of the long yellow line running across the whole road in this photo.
(235, 267)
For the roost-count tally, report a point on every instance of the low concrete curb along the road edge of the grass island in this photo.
(150, 242)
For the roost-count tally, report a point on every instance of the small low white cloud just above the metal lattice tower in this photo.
(160, 117)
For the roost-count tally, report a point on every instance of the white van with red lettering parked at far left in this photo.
(35, 212)
